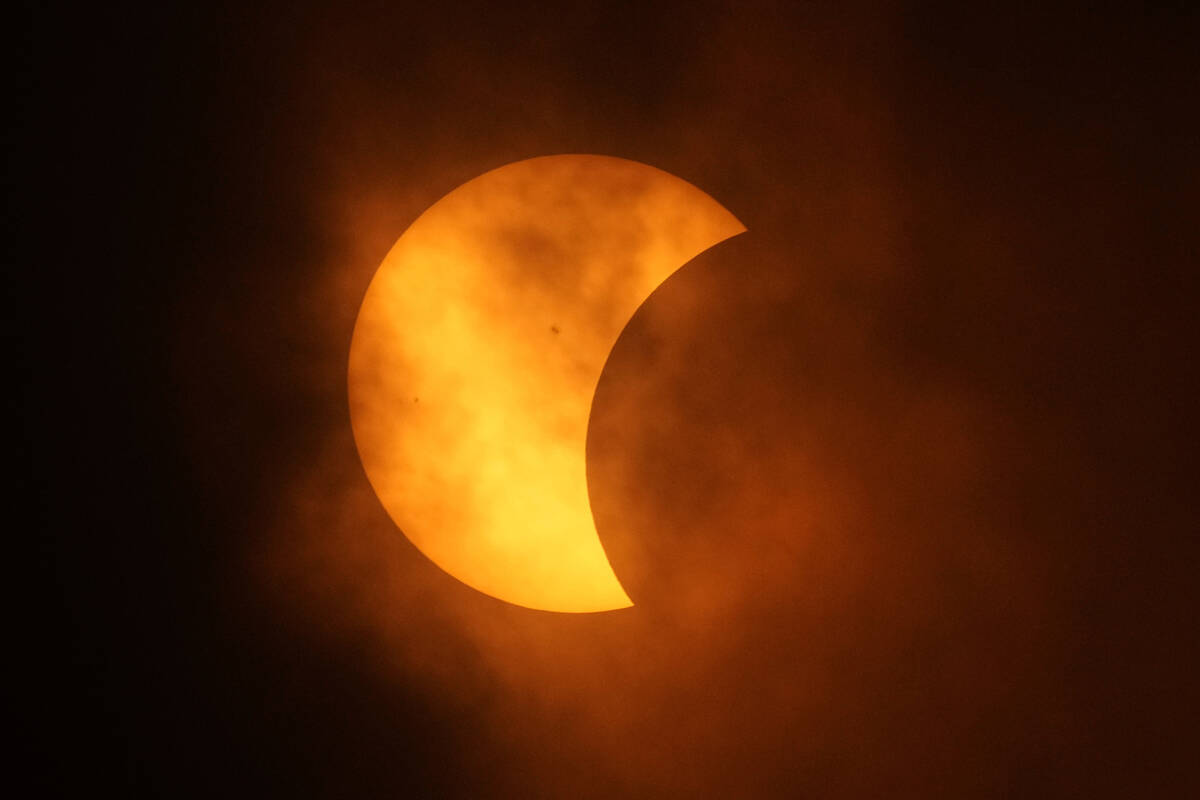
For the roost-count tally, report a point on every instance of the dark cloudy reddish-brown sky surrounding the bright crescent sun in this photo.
(902, 480)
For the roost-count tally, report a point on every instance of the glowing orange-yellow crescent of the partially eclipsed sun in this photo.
(477, 353)
